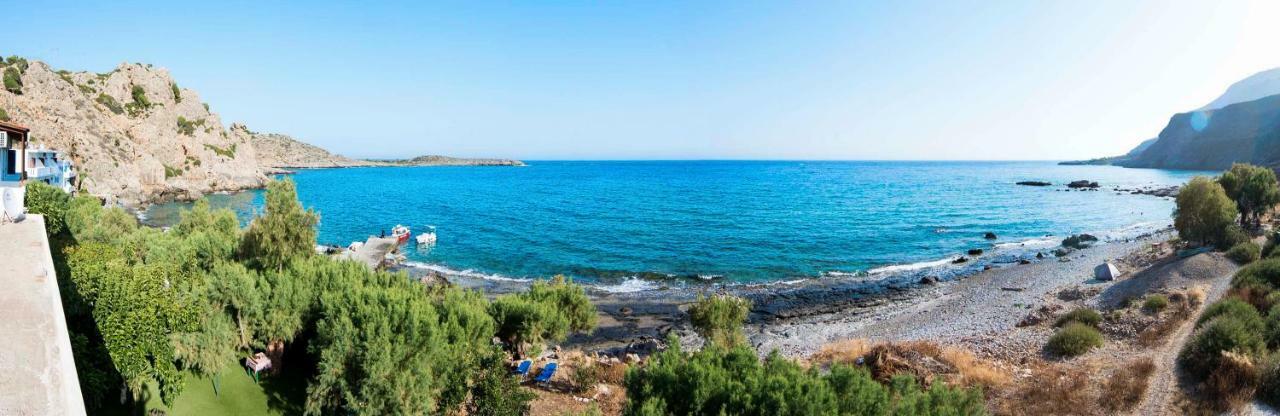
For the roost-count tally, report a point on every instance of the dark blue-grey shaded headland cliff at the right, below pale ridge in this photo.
(1214, 140)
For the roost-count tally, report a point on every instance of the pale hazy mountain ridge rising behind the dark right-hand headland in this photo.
(1252, 89)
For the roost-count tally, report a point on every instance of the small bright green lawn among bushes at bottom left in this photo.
(282, 395)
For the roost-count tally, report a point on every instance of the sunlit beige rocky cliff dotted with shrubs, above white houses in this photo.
(135, 135)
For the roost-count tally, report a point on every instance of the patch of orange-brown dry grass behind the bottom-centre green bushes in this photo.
(927, 362)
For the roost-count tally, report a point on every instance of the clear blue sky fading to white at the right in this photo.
(680, 80)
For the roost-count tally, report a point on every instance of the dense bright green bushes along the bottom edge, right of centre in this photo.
(720, 381)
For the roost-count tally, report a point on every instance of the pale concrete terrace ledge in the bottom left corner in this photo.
(38, 373)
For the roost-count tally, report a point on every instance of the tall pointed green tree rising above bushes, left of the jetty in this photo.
(284, 234)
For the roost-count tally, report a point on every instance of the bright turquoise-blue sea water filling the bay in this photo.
(630, 226)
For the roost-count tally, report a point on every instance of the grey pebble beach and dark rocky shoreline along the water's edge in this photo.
(798, 318)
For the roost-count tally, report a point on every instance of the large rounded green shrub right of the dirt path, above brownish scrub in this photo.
(1226, 333)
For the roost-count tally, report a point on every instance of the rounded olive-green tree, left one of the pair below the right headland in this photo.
(1204, 212)
